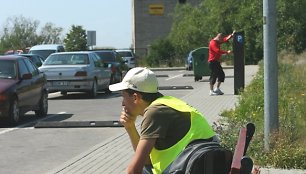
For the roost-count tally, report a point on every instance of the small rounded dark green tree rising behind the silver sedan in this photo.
(76, 39)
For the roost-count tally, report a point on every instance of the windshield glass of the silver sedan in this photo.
(67, 59)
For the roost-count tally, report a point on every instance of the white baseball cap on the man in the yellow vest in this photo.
(139, 79)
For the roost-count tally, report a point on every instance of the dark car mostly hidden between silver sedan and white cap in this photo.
(111, 57)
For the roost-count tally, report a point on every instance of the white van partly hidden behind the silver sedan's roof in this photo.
(46, 49)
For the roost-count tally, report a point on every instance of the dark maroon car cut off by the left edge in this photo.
(23, 88)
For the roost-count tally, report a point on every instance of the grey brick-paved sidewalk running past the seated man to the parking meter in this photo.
(113, 155)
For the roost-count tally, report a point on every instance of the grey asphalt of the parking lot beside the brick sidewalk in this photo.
(28, 150)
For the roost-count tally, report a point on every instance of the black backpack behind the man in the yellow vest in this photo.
(202, 157)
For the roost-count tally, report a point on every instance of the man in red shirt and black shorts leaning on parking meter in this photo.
(214, 56)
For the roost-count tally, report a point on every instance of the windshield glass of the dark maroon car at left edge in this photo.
(7, 69)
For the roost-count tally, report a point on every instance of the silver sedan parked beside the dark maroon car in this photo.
(76, 72)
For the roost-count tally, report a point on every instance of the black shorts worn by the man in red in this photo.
(216, 72)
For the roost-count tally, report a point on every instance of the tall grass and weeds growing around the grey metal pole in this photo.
(286, 146)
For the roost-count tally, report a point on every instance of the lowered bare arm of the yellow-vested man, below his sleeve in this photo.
(141, 156)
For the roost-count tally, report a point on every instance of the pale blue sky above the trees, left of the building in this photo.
(111, 19)
